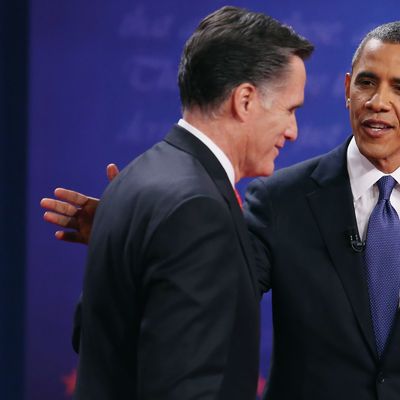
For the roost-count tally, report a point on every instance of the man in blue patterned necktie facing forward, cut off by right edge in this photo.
(313, 237)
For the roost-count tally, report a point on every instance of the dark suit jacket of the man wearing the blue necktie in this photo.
(324, 347)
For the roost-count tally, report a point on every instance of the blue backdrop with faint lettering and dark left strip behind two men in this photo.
(88, 83)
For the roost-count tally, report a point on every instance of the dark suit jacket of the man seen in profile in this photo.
(169, 307)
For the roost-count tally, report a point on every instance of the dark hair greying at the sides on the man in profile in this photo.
(232, 46)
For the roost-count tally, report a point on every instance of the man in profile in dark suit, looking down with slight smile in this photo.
(170, 300)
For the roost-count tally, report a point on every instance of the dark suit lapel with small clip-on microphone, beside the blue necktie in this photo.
(332, 207)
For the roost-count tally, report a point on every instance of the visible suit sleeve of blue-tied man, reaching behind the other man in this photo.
(259, 218)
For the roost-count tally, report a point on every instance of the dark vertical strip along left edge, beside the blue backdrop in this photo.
(13, 158)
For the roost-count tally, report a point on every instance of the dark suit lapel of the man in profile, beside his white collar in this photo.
(180, 138)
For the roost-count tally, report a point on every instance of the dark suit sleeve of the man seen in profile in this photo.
(189, 290)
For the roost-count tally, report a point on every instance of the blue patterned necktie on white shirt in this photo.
(382, 259)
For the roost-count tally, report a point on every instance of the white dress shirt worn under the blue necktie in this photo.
(363, 177)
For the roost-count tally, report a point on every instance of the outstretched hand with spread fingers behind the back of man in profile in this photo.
(74, 211)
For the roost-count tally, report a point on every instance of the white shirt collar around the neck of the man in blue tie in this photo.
(362, 172)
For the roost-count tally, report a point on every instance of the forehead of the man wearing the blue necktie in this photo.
(380, 58)
